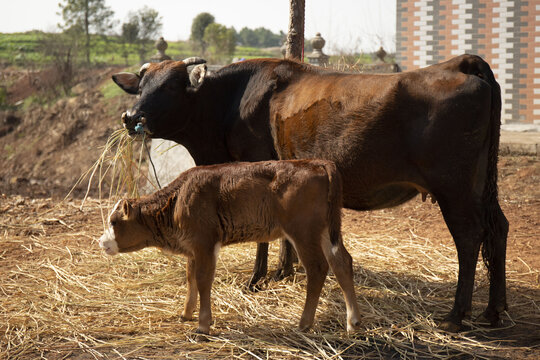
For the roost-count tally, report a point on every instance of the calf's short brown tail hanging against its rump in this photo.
(335, 202)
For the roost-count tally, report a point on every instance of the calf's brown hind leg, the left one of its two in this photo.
(312, 257)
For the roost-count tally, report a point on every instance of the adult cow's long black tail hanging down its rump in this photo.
(496, 224)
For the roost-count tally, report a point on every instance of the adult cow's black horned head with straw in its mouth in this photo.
(163, 95)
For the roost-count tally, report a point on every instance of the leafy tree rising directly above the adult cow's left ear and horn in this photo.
(143, 27)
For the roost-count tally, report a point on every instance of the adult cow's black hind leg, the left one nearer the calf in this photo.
(463, 216)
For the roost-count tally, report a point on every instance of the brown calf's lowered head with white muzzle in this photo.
(125, 232)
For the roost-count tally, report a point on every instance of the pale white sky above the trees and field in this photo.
(347, 25)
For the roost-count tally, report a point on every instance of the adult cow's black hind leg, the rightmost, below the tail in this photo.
(496, 258)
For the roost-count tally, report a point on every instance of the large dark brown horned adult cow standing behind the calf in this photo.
(392, 136)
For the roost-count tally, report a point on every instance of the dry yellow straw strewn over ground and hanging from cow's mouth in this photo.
(61, 297)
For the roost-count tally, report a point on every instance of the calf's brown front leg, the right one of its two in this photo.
(205, 267)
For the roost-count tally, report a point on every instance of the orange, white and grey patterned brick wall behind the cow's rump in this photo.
(506, 33)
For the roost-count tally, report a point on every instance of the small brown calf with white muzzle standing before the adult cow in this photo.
(211, 206)
